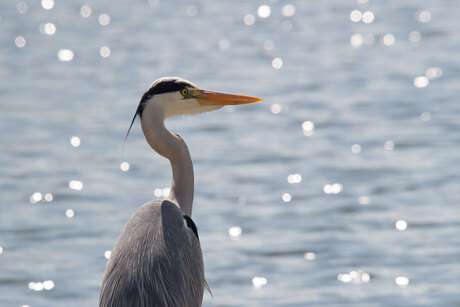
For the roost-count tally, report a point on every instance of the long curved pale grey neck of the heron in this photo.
(172, 147)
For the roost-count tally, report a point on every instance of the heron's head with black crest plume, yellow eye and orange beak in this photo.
(176, 96)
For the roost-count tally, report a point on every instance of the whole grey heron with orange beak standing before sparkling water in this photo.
(157, 260)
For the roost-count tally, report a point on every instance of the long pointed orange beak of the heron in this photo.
(210, 98)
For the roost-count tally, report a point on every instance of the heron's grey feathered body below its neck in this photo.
(157, 261)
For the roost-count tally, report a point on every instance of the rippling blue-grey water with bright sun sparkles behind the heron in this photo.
(344, 181)
